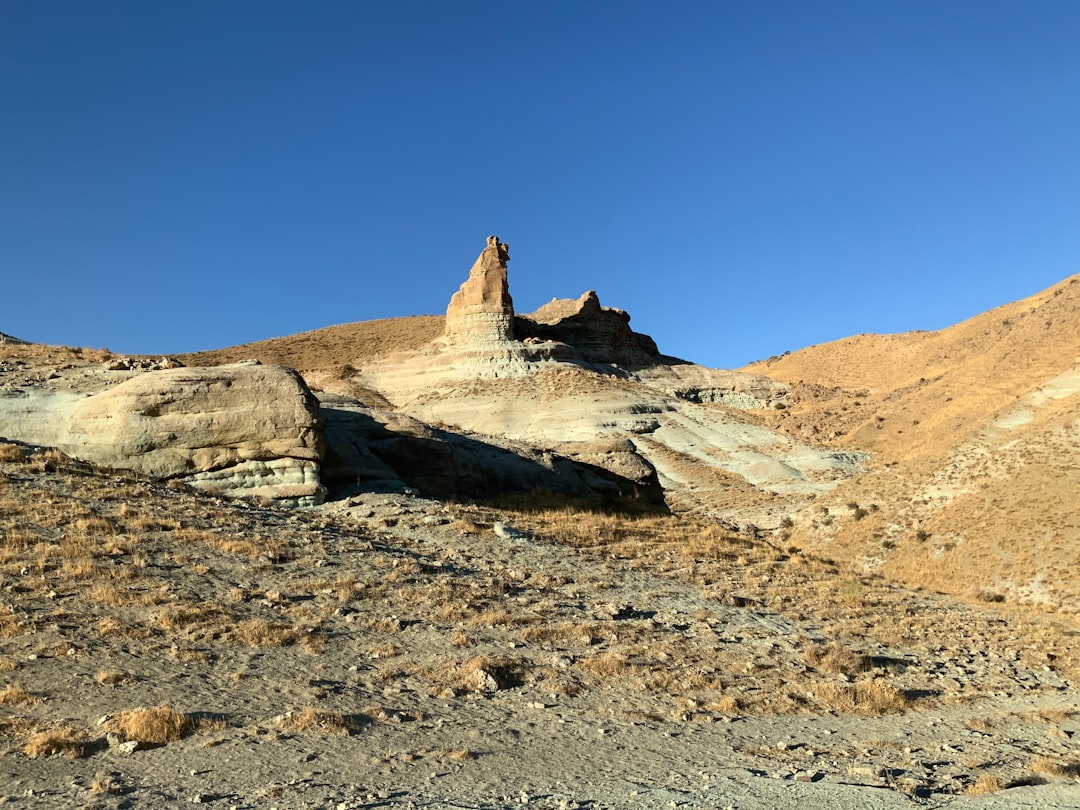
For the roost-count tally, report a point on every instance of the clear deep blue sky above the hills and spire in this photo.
(745, 179)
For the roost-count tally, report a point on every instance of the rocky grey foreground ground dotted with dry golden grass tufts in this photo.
(395, 652)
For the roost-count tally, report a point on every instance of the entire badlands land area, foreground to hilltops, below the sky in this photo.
(495, 560)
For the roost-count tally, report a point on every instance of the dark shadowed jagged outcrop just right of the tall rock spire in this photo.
(598, 334)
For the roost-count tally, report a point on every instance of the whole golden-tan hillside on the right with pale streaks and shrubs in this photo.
(976, 436)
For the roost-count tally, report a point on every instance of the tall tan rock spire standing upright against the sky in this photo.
(482, 312)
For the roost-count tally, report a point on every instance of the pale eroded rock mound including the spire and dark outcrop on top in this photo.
(573, 379)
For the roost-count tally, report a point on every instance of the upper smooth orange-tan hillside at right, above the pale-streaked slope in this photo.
(904, 396)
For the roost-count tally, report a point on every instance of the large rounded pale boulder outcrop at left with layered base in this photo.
(241, 429)
